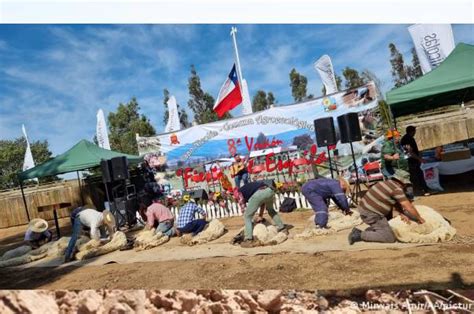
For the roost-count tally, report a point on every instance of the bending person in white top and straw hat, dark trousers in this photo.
(98, 222)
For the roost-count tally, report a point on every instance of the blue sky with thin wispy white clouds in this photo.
(54, 78)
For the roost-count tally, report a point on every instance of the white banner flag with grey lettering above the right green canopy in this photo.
(433, 43)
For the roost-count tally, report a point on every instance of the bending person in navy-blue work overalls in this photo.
(319, 191)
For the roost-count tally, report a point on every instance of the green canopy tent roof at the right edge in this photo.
(452, 82)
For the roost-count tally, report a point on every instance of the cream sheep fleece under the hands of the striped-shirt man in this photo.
(435, 229)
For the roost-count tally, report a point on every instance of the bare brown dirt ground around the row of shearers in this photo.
(440, 266)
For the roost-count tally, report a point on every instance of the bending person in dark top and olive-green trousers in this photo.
(251, 197)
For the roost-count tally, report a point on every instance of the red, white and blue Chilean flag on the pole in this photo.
(230, 95)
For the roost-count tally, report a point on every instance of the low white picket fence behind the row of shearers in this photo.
(233, 209)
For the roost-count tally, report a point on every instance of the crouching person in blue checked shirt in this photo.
(186, 222)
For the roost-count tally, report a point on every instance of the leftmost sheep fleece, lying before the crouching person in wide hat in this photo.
(48, 250)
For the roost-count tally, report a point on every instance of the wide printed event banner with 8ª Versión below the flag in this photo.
(288, 127)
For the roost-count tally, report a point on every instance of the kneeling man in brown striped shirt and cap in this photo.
(377, 205)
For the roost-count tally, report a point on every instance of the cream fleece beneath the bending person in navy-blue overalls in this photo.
(337, 221)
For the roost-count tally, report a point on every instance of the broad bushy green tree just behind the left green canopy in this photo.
(125, 124)
